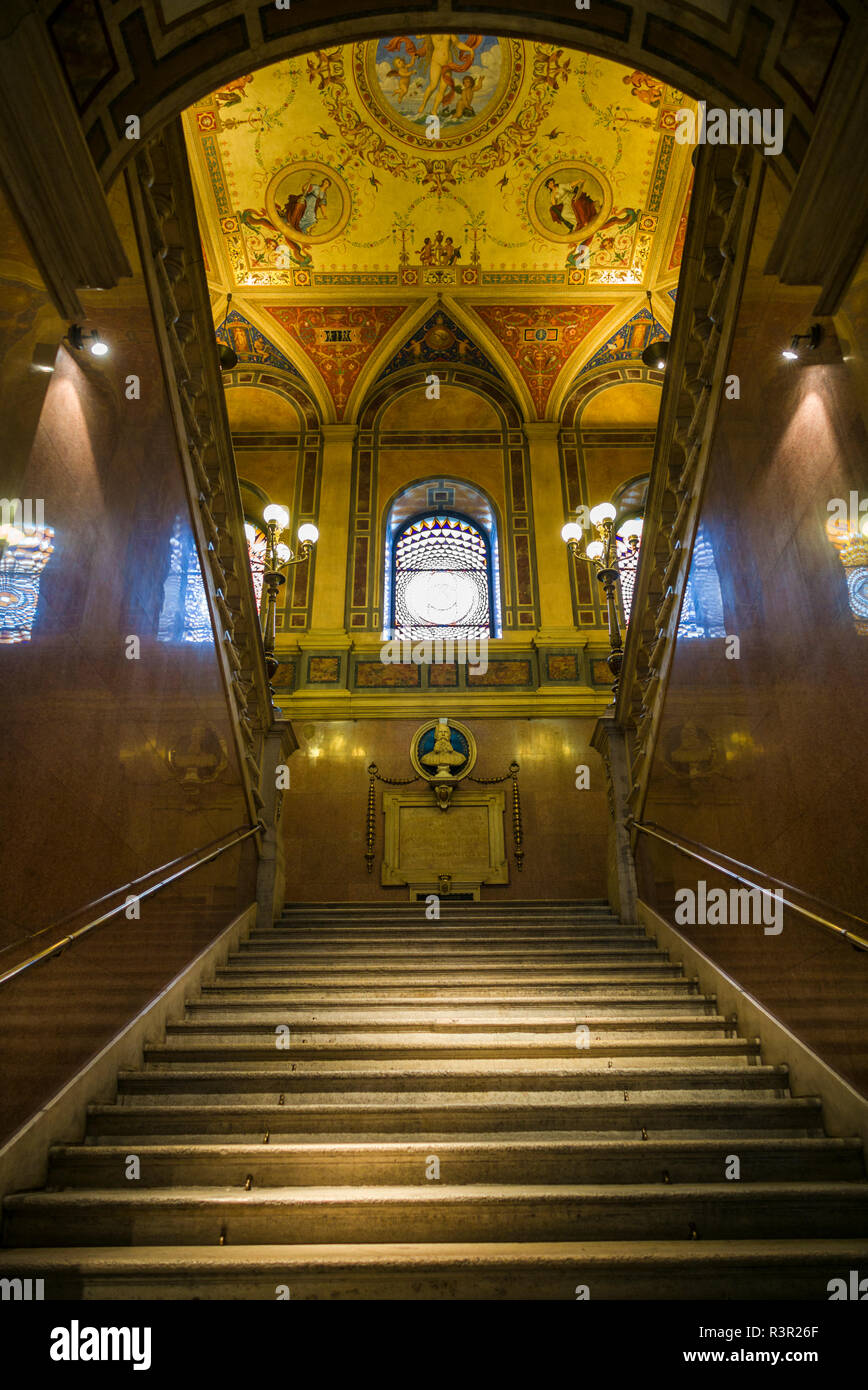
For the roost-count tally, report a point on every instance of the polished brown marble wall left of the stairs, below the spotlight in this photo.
(118, 753)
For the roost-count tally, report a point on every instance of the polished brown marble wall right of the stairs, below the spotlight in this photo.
(763, 753)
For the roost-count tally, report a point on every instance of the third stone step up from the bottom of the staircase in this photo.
(488, 1159)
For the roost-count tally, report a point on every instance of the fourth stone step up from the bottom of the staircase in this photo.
(337, 1117)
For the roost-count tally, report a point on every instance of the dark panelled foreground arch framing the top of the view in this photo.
(155, 67)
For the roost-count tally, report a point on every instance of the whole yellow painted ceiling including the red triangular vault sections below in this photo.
(529, 194)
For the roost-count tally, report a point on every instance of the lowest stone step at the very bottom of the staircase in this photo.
(681, 1270)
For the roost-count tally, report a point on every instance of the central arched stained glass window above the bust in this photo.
(442, 580)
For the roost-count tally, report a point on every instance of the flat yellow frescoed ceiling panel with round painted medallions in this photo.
(439, 161)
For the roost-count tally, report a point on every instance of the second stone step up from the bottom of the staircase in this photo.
(439, 1213)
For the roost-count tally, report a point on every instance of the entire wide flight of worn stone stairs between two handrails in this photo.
(368, 1104)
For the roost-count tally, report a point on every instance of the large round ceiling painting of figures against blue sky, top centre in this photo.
(469, 81)
